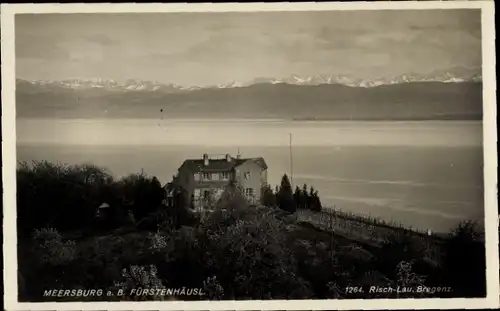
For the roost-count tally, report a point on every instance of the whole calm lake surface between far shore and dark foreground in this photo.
(422, 174)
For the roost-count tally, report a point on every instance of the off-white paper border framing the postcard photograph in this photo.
(490, 158)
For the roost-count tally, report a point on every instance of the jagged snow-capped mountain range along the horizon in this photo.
(454, 75)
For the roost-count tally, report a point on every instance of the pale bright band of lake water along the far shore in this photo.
(248, 132)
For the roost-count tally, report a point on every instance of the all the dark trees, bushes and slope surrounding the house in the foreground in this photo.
(239, 251)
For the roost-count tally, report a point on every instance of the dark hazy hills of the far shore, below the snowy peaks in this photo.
(403, 101)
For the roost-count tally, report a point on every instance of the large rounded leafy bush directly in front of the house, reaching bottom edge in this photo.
(245, 248)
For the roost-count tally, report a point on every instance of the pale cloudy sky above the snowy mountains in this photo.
(212, 48)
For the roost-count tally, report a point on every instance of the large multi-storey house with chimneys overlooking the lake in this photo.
(205, 179)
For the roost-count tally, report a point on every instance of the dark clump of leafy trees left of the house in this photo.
(66, 197)
